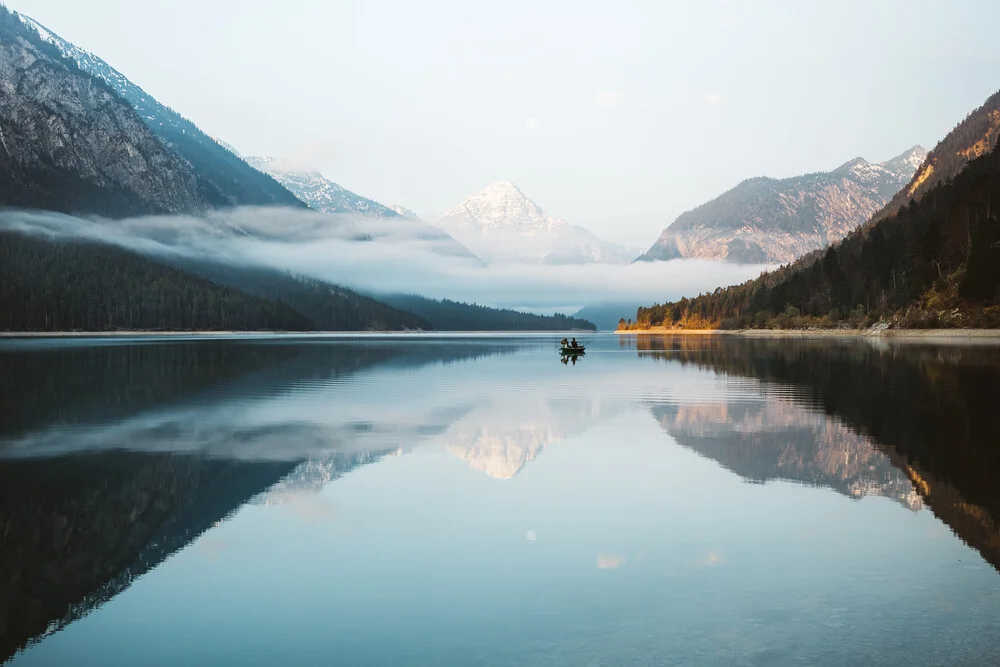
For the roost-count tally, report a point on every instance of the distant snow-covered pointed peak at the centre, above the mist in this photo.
(502, 224)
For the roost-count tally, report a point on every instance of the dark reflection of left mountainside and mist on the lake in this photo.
(113, 457)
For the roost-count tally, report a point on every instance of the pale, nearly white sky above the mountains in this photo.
(615, 116)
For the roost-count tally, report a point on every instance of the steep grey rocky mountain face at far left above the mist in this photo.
(70, 143)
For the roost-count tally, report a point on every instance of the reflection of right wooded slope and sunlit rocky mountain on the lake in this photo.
(871, 415)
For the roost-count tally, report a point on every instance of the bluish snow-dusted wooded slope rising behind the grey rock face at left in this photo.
(223, 177)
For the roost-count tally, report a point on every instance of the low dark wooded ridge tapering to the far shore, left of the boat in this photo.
(445, 315)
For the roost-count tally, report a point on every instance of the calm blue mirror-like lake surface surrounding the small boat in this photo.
(474, 500)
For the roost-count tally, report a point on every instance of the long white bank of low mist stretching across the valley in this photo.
(384, 256)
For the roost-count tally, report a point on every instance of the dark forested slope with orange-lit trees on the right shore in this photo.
(933, 263)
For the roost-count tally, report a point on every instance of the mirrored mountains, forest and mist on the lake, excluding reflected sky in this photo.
(114, 456)
